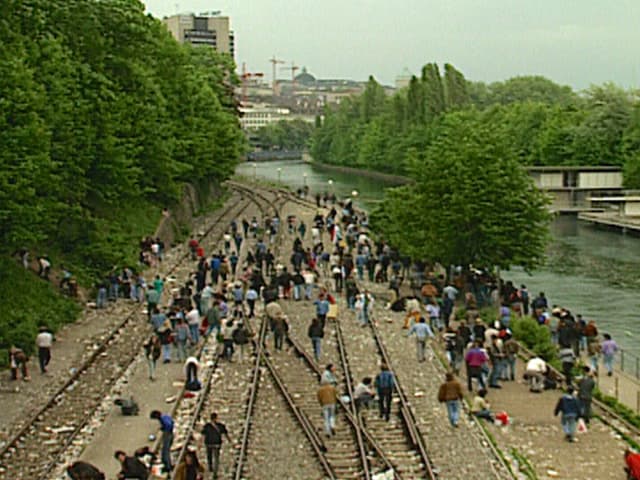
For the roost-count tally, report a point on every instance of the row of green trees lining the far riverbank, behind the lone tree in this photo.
(543, 123)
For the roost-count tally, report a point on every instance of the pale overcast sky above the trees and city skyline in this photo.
(574, 42)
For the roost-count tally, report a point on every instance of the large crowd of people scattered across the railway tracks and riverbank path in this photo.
(335, 256)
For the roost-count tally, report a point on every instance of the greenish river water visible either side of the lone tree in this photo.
(590, 271)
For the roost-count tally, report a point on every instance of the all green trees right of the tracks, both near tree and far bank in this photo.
(464, 144)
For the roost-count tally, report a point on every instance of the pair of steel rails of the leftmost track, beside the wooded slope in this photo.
(59, 394)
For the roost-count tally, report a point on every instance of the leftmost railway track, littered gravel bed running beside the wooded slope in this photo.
(34, 451)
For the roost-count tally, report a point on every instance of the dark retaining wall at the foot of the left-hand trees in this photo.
(195, 198)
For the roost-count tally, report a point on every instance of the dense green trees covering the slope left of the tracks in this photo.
(102, 111)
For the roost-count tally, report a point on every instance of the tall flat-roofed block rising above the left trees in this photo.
(209, 30)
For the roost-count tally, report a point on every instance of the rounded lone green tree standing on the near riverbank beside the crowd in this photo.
(471, 203)
